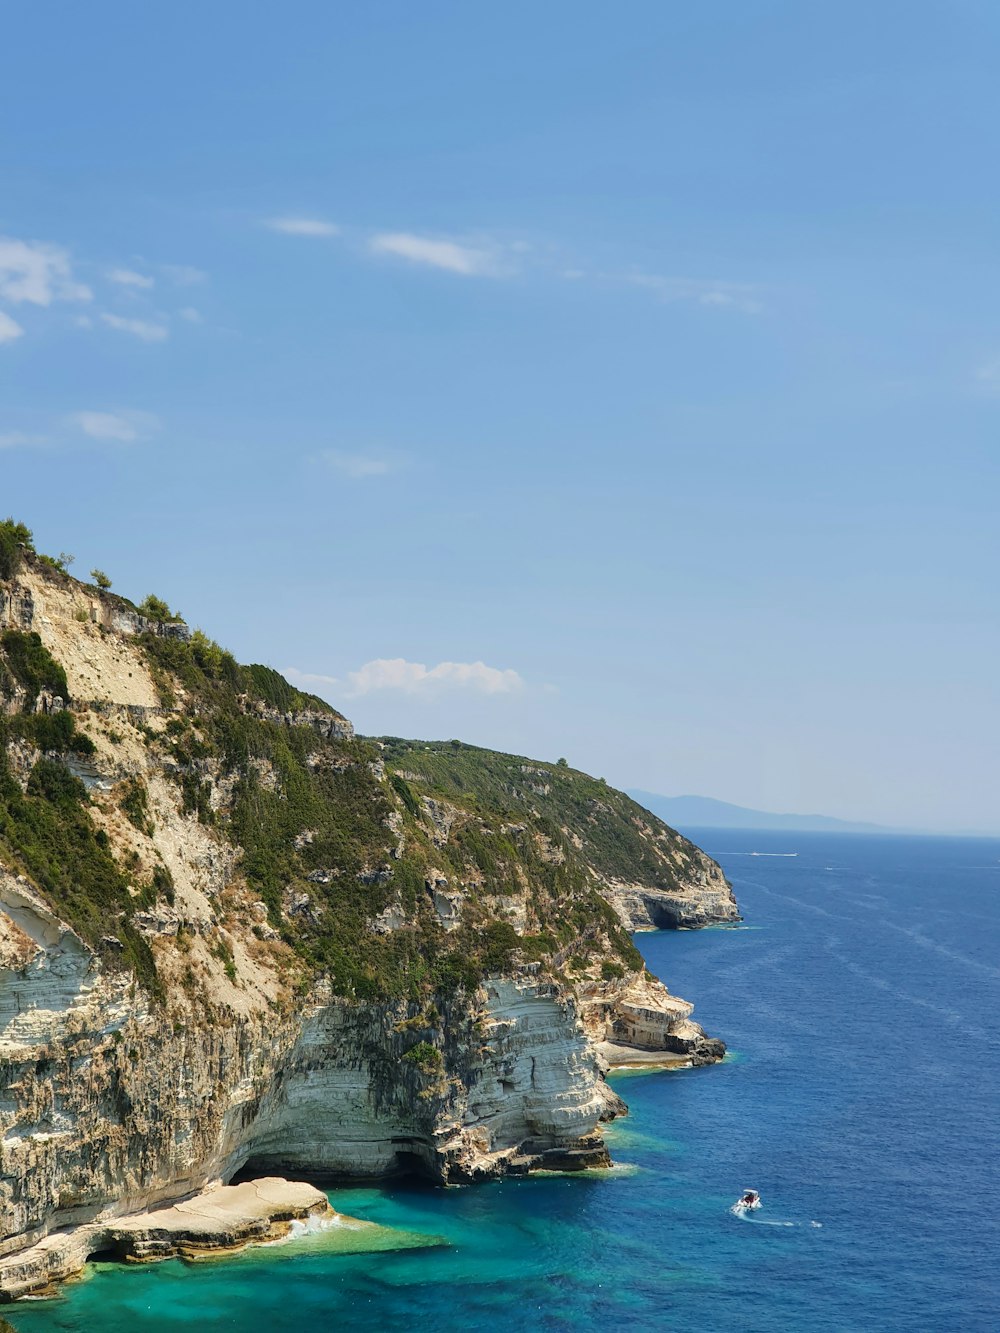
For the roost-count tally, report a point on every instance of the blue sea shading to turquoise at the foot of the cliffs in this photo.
(861, 1002)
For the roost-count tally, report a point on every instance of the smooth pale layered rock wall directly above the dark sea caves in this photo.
(518, 1078)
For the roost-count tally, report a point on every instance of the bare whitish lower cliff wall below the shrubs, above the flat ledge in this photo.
(110, 1108)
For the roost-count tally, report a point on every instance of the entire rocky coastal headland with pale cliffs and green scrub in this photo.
(237, 938)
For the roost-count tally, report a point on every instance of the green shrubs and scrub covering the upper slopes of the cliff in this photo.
(394, 868)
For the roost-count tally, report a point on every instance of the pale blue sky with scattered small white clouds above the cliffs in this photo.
(618, 383)
